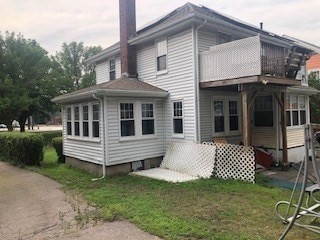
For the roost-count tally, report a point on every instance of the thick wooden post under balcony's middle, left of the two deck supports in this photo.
(245, 119)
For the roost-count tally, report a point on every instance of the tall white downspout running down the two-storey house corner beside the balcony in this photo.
(196, 77)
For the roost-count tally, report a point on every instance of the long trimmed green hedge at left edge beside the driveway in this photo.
(21, 148)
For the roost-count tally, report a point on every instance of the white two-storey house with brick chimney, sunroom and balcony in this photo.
(193, 75)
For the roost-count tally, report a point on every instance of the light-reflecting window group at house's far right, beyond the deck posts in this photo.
(296, 110)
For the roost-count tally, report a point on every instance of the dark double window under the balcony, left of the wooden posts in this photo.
(225, 116)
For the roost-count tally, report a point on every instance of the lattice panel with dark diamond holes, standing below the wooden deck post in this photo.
(234, 161)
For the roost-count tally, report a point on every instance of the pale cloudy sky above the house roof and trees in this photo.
(96, 22)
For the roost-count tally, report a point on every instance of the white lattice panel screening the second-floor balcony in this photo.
(234, 59)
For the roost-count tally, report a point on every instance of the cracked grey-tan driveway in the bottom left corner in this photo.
(33, 207)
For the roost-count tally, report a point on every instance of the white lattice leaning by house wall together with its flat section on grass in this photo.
(184, 162)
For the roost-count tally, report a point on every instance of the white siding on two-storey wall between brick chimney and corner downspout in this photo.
(179, 80)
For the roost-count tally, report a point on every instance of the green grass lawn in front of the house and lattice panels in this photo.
(202, 209)
